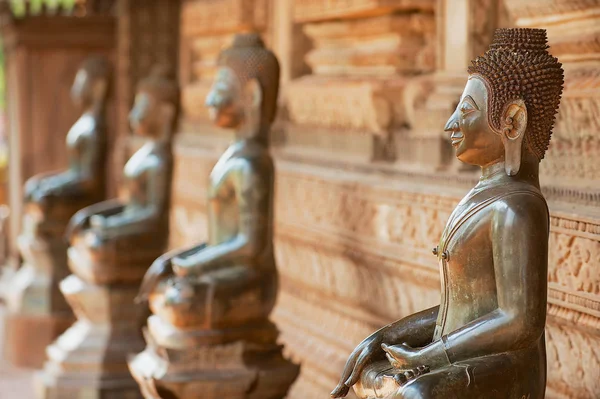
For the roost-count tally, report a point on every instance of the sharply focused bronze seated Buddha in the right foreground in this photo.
(486, 338)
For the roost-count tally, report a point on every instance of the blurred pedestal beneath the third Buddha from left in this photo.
(232, 370)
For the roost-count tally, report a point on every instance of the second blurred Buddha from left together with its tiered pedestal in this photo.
(111, 244)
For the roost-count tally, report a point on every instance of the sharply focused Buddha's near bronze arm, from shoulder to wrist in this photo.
(519, 236)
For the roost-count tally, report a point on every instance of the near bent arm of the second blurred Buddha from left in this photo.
(137, 219)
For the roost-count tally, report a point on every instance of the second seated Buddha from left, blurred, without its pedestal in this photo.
(113, 241)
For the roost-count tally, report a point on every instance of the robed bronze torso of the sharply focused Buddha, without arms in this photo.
(465, 255)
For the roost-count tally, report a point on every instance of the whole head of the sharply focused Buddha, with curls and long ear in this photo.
(507, 110)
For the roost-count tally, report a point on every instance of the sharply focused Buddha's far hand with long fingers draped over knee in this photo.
(368, 351)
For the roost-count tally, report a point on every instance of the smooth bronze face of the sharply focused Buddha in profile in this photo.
(473, 138)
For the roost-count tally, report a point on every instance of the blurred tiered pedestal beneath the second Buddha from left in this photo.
(89, 359)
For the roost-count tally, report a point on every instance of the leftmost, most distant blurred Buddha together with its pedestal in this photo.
(38, 312)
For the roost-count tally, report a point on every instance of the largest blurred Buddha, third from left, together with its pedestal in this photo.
(210, 333)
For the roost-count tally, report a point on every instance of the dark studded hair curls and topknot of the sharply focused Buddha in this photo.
(518, 66)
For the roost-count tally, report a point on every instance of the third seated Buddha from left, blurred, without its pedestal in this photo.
(231, 280)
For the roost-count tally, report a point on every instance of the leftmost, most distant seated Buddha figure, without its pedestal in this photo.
(55, 196)
